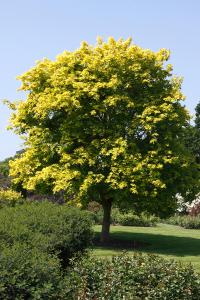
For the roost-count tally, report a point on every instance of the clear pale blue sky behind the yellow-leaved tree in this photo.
(31, 30)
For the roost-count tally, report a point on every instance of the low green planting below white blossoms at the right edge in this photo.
(189, 222)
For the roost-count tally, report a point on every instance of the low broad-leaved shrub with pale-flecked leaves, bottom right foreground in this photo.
(134, 277)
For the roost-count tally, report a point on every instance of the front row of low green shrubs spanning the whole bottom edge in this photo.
(32, 274)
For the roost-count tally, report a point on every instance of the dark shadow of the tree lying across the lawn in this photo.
(157, 243)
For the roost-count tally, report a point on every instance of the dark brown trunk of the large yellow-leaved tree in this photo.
(105, 232)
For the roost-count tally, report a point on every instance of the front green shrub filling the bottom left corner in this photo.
(31, 274)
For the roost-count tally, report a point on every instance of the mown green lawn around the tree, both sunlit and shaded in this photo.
(166, 240)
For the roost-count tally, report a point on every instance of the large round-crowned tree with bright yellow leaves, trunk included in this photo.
(104, 123)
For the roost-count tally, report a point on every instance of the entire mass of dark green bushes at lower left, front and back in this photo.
(36, 242)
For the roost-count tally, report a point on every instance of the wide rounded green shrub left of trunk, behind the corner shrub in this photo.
(49, 227)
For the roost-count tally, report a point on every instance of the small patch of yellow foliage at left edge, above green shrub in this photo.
(9, 197)
